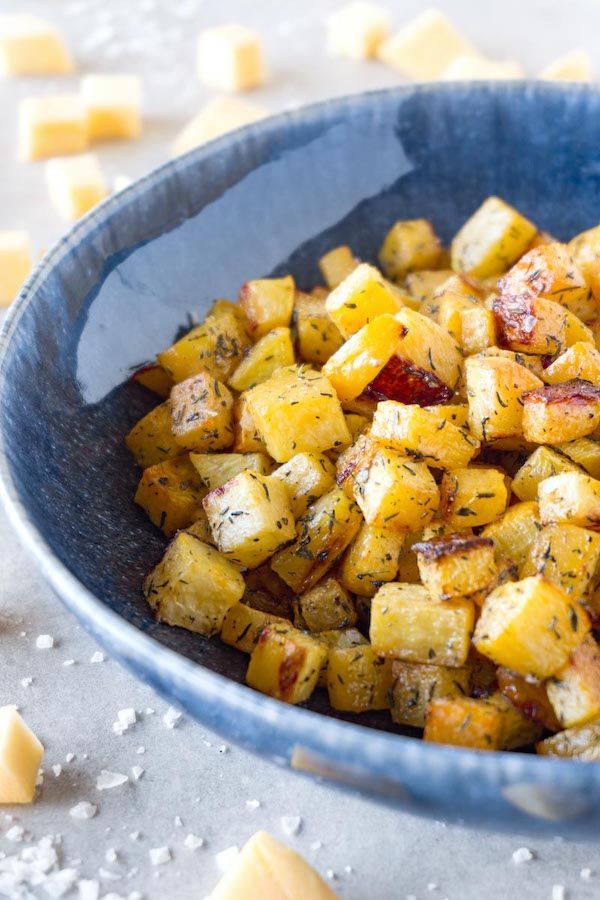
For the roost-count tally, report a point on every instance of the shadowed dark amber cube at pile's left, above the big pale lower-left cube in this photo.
(171, 494)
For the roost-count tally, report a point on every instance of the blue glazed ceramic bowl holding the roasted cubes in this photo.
(268, 199)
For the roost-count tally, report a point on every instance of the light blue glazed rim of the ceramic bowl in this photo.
(348, 741)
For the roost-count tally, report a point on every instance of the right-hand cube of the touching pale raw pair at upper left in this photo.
(113, 106)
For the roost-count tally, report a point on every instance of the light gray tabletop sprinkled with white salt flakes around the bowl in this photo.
(72, 708)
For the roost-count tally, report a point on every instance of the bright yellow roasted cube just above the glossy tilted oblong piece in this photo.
(359, 298)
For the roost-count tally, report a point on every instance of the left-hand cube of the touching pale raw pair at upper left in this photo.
(52, 126)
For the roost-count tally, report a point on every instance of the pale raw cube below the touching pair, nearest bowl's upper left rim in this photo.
(75, 184)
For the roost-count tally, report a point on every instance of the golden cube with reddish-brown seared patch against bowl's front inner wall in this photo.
(286, 663)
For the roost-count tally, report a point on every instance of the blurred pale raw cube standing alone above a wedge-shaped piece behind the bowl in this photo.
(230, 58)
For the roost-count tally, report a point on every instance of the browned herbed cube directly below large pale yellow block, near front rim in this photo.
(416, 685)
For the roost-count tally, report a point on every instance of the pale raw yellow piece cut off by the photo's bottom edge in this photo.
(268, 870)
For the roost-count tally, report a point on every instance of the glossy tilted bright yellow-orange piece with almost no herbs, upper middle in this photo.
(362, 357)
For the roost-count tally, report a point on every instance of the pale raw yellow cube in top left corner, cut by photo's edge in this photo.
(31, 46)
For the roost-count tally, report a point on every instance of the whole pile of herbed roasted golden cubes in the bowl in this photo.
(389, 487)
